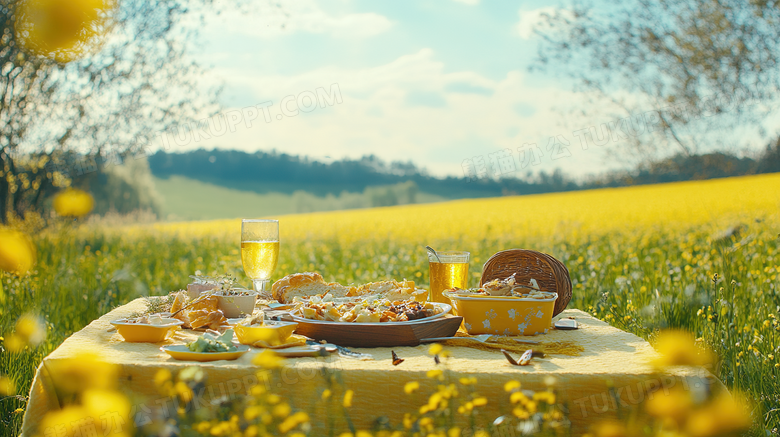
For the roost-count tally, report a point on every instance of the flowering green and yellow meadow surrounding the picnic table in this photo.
(641, 258)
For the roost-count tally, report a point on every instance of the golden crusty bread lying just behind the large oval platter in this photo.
(305, 285)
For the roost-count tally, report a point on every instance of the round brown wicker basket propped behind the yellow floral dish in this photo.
(550, 274)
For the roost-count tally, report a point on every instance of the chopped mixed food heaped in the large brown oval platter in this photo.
(371, 309)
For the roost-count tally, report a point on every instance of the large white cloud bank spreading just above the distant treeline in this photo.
(411, 109)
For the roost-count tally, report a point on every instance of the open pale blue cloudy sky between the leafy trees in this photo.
(437, 82)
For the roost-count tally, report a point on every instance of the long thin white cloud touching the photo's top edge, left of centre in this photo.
(268, 21)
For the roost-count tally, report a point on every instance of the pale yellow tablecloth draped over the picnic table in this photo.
(612, 358)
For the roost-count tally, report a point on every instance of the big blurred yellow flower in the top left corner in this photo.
(61, 29)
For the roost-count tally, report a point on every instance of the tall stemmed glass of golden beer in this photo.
(260, 250)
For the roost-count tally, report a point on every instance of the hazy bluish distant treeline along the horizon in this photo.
(264, 172)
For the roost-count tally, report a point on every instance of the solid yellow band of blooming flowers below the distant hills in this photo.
(562, 216)
